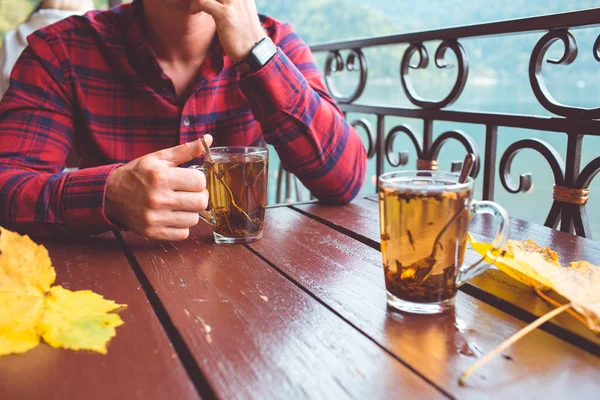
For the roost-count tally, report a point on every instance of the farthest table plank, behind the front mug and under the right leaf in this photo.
(360, 219)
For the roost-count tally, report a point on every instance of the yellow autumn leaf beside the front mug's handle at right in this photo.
(540, 268)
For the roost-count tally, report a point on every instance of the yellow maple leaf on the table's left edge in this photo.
(30, 308)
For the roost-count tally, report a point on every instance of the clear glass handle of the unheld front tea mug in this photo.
(466, 273)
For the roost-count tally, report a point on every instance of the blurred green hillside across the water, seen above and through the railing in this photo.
(320, 21)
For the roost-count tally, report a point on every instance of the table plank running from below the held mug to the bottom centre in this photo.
(256, 335)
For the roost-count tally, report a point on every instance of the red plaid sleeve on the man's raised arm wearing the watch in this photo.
(300, 119)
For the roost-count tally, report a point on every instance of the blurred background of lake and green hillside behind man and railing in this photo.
(498, 80)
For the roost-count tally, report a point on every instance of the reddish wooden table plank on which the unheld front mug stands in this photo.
(347, 276)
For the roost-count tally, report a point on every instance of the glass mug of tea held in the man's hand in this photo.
(236, 179)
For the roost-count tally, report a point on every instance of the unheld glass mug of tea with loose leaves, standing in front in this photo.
(424, 221)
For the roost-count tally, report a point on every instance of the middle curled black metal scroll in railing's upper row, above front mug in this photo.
(440, 62)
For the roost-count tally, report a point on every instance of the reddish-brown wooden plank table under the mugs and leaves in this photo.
(301, 314)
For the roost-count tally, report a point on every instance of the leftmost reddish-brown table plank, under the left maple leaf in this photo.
(140, 364)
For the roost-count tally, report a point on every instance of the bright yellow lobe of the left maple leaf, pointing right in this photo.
(78, 320)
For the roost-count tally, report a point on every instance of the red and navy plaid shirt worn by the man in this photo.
(93, 83)
